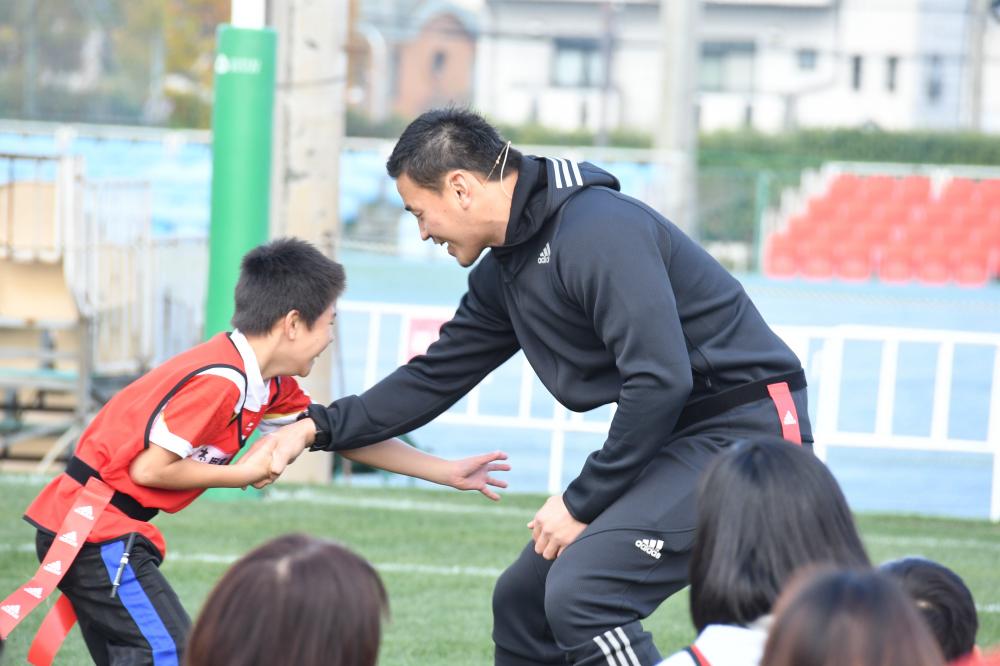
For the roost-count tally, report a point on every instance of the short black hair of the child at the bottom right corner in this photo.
(944, 601)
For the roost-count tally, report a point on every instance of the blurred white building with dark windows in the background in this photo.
(769, 64)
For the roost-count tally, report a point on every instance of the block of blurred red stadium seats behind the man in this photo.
(892, 227)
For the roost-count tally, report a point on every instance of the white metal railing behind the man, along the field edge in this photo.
(822, 351)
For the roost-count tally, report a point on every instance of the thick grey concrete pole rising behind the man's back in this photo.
(676, 137)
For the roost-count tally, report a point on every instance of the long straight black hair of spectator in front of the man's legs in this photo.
(766, 507)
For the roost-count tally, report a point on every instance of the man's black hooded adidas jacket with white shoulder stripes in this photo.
(610, 302)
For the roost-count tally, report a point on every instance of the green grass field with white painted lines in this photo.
(439, 553)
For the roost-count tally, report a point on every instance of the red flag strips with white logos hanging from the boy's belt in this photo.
(66, 545)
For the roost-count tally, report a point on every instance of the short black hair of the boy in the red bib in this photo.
(284, 275)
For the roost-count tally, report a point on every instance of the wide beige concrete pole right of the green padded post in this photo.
(308, 134)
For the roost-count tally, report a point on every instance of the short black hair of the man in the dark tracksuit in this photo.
(442, 140)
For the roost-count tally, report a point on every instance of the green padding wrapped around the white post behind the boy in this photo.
(241, 161)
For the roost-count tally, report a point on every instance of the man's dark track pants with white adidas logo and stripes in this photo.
(585, 606)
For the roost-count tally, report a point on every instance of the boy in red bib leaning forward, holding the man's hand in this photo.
(165, 438)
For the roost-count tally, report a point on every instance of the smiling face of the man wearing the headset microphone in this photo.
(444, 217)
